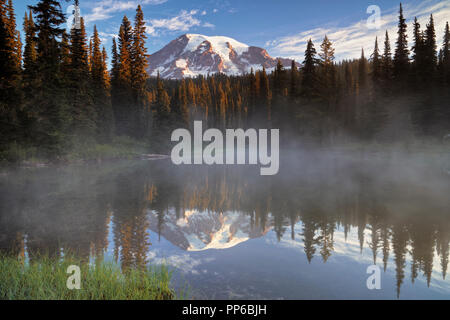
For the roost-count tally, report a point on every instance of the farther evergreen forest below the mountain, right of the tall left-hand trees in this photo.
(382, 96)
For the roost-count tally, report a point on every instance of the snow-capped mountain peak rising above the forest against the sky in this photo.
(191, 55)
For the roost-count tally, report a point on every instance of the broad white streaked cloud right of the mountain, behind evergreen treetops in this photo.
(349, 40)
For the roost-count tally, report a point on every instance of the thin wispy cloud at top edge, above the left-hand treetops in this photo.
(105, 9)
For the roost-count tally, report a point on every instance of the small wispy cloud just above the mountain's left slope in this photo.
(183, 21)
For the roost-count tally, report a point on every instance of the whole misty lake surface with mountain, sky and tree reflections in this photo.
(309, 232)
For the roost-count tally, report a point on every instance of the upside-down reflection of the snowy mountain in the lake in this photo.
(198, 231)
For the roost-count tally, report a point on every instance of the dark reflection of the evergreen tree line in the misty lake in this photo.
(397, 211)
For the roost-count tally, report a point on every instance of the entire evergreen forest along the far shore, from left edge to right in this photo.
(56, 89)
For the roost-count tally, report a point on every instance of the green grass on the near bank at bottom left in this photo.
(46, 279)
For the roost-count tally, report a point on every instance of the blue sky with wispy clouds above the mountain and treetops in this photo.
(282, 27)
